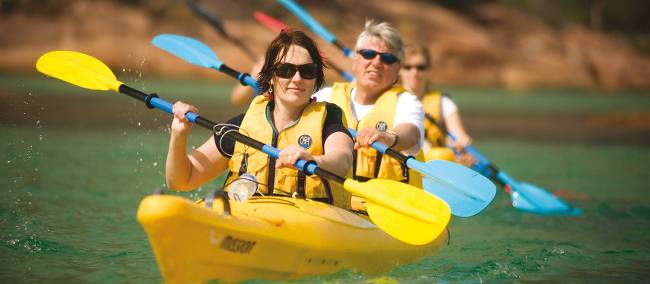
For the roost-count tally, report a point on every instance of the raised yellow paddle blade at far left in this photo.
(78, 69)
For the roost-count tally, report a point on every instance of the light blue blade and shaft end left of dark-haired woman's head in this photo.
(197, 53)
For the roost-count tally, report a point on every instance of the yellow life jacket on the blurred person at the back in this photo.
(433, 119)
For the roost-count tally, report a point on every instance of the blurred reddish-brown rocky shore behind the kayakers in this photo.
(497, 46)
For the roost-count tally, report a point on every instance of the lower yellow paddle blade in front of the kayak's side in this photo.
(403, 211)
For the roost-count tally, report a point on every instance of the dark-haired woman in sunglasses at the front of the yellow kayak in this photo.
(285, 117)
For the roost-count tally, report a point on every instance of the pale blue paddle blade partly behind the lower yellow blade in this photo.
(466, 191)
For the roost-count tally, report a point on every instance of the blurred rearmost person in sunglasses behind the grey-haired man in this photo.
(441, 113)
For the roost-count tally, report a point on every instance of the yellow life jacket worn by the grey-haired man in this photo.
(368, 163)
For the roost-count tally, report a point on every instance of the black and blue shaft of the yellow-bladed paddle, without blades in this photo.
(153, 101)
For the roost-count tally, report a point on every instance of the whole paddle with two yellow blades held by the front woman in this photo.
(402, 211)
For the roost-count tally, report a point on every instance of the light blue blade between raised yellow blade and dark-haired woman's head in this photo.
(188, 49)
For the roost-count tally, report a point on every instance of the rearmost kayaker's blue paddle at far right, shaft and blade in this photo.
(524, 196)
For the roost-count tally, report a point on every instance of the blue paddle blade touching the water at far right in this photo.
(532, 198)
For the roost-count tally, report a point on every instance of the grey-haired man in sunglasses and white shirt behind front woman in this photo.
(376, 108)
